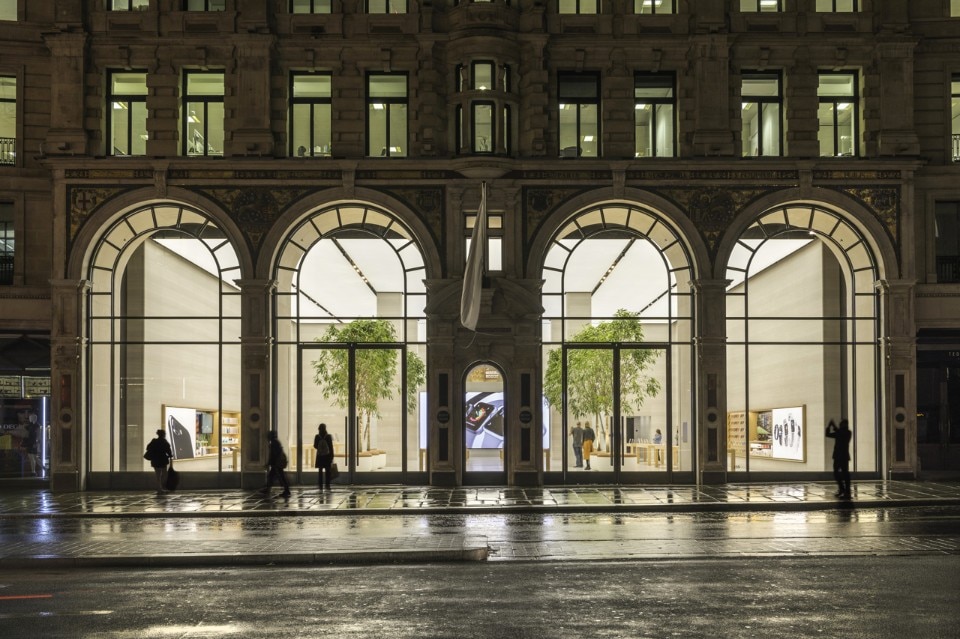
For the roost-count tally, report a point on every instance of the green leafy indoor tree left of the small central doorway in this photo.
(376, 371)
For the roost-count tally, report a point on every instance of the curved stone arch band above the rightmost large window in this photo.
(847, 209)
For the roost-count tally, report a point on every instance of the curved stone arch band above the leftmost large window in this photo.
(97, 224)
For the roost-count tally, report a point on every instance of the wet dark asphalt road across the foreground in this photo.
(897, 597)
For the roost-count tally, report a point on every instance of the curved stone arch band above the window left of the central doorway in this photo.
(316, 202)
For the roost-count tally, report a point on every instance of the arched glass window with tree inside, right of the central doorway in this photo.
(617, 356)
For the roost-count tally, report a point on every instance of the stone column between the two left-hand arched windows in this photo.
(255, 397)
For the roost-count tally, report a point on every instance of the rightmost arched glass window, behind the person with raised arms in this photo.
(803, 339)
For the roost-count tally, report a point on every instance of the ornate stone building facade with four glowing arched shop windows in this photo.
(483, 96)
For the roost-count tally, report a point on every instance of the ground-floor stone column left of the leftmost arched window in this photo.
(67, 385)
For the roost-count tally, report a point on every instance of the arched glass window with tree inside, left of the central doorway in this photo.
(350, 339)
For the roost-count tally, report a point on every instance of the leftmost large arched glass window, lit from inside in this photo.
(164, 348)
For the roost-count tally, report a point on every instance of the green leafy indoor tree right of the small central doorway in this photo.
(590, 372)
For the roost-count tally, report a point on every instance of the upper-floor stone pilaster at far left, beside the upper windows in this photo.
(66, 134)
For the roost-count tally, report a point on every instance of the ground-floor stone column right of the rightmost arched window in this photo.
(900, 410)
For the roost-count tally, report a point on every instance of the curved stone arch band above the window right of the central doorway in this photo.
(674, 217)
